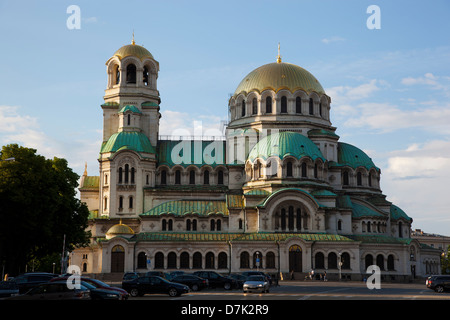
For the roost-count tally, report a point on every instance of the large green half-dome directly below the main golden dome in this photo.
(284, 144)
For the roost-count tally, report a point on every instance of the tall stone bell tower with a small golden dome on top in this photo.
(130, 131)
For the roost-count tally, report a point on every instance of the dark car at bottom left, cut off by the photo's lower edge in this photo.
(57, 290)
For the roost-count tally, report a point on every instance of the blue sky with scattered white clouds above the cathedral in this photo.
(389, 86)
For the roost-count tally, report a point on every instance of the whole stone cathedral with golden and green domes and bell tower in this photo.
(279, 192)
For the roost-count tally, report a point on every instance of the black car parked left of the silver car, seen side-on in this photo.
(153, 284)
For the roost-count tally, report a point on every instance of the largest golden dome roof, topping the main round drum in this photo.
(278, 76)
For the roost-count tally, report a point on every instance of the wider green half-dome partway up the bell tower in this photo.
(133, 140)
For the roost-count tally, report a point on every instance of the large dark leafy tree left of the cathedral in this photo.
(38, 206)
